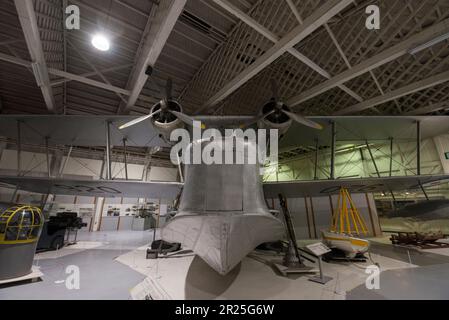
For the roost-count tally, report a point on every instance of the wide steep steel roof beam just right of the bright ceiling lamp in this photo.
(163, 23)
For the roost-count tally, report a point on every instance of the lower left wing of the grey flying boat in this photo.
(94, 188)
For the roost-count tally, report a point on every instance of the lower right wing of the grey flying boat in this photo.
(296, 189)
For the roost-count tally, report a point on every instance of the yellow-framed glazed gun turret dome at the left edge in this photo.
(20, 224)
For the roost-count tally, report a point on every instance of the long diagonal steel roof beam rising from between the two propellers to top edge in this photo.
(312, 23)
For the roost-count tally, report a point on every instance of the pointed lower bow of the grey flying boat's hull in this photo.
(223, 240)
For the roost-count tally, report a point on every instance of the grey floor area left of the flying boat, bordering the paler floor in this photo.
(101, 277)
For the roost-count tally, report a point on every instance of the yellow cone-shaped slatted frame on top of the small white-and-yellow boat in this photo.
(347, 216)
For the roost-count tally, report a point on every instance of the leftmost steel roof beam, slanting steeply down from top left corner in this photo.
(27, 17)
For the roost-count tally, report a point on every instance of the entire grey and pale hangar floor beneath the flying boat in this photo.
(112, 263)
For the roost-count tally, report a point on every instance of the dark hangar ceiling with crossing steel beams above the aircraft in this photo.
(221, 55)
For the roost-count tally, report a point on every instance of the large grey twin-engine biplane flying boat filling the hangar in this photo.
(222, 212)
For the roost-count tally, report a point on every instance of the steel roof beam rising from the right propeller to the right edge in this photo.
(380, 59)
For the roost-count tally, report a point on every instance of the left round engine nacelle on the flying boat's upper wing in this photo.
(166, 122)
